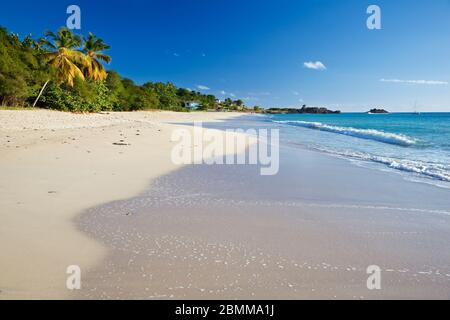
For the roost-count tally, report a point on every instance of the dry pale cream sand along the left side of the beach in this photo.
(53, 166)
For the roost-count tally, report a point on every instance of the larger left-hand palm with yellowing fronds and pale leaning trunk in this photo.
(63, 56)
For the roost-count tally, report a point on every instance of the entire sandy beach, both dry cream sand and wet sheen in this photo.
(143, 228)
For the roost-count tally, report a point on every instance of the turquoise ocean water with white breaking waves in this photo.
(415, 145)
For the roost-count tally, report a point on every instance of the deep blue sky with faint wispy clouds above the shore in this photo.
(256, 50)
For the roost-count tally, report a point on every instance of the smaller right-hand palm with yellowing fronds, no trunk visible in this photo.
(92, 66)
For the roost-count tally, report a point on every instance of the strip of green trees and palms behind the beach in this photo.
(64, 71)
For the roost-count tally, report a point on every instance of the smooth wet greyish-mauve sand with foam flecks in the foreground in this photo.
(225, 232)
